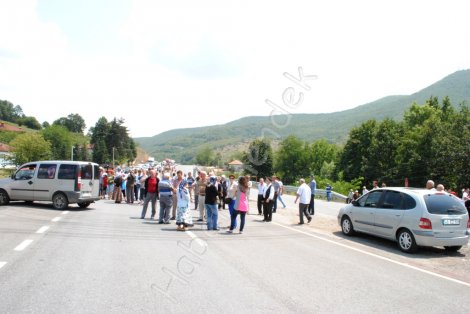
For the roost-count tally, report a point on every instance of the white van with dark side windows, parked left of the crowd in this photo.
(63, 182)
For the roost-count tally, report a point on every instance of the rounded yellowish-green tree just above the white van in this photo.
(30, 146)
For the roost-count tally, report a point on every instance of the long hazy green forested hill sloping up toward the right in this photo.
(183, 144)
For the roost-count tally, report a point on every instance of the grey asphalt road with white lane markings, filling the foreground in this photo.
(106, 260)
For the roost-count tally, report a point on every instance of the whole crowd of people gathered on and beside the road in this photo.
(177, 192)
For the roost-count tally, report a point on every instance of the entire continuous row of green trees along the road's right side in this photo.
(431, 142)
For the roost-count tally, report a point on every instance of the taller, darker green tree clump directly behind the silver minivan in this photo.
(431, 142)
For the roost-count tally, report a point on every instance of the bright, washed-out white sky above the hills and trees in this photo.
(170, 64)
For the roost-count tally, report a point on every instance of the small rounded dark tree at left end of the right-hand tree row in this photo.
(258, 159)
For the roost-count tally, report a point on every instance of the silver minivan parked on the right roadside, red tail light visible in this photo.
(412, 217)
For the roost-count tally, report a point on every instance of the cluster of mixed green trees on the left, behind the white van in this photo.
(105, 143)
